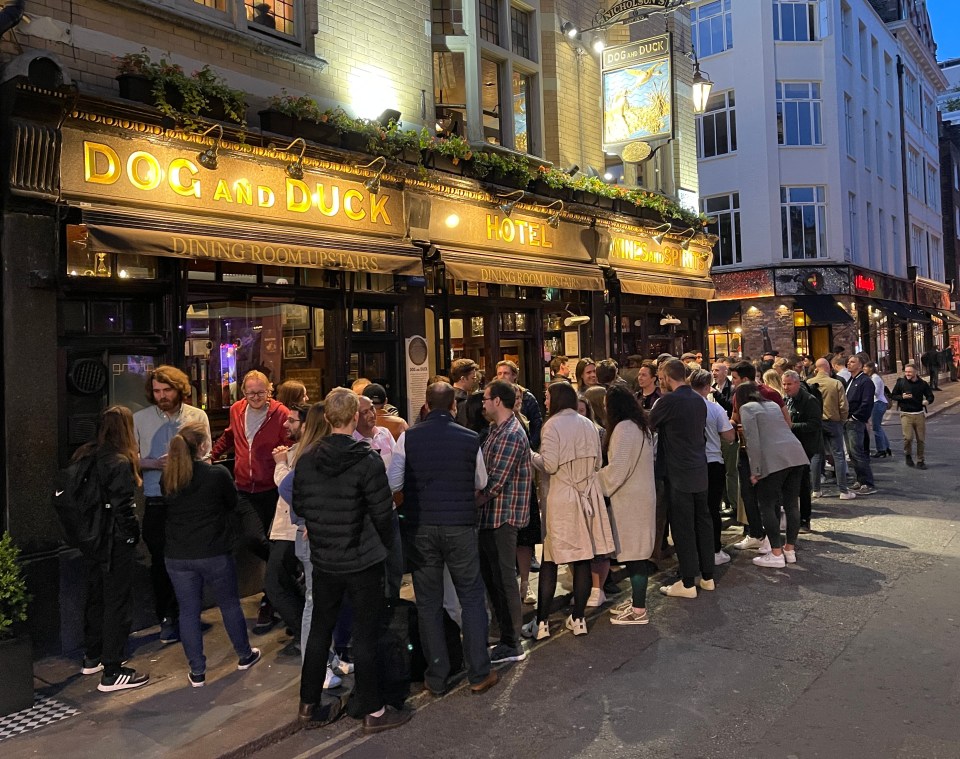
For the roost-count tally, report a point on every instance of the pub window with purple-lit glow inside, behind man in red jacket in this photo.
(226, 339)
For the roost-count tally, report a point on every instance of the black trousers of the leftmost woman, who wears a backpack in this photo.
(108, 613)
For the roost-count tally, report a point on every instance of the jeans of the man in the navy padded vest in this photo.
(431, 549)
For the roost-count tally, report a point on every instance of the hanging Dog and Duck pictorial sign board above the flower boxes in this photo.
(637, 93)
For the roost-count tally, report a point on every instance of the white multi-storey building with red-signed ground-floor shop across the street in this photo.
(818, 156)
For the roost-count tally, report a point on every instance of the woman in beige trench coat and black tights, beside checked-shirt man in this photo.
(575, 519)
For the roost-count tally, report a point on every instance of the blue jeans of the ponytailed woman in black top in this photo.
(219, 574)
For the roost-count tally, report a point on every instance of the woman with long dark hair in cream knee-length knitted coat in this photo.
(627, 480)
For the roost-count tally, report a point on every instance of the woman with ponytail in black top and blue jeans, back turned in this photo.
(199, 499)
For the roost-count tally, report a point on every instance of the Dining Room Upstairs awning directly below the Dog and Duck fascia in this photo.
(191, 238)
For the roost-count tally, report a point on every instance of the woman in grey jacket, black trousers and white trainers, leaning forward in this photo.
(777, 460)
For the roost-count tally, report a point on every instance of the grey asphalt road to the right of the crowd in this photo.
(852, 652)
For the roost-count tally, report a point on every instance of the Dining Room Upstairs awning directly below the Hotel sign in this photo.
(523, 271)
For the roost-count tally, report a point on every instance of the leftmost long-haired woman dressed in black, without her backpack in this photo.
(108, 613)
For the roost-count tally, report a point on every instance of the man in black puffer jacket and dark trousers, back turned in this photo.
(340, 490)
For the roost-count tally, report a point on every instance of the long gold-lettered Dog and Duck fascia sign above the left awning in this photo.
(250, 186)
